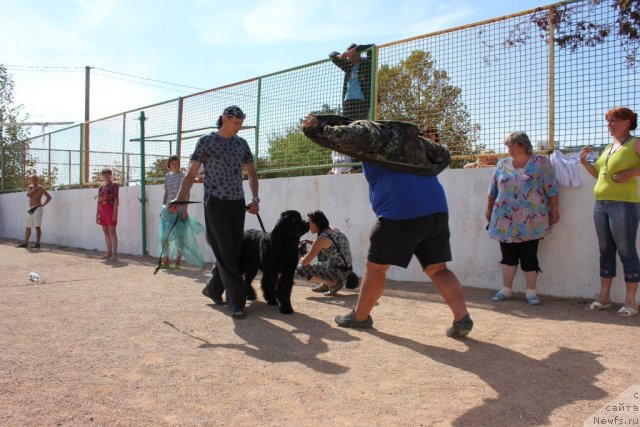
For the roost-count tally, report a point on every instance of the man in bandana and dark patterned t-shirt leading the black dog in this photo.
(223, 155)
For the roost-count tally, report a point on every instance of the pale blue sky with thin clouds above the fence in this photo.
(198, 43)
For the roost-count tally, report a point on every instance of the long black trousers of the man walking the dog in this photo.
(224, 221)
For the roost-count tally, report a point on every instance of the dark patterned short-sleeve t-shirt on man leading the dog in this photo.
(223, 159)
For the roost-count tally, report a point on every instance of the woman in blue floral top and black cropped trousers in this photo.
(522, 205)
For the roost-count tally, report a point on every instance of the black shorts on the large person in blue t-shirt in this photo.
(396, 241)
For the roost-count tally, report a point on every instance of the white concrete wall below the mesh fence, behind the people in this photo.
(568, 256)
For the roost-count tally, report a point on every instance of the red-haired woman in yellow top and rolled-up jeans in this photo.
(617, 209)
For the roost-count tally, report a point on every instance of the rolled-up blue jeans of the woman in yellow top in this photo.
(617, 228)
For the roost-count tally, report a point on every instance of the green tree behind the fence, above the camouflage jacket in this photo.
(416, 91)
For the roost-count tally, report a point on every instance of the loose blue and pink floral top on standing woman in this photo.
(521, 209)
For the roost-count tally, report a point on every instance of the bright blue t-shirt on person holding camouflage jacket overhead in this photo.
(397, 195)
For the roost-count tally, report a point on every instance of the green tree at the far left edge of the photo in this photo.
(14, 146)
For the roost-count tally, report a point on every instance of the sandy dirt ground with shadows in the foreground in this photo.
(98, 343)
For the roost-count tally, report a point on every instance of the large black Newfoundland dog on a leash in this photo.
(276, 255)
